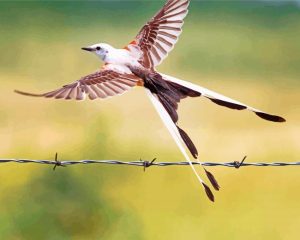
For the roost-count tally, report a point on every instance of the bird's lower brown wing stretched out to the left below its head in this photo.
(100, 84)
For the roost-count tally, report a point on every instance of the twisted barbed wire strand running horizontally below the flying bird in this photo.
(145, 164)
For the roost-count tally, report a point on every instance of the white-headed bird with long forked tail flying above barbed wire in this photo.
(135, 66)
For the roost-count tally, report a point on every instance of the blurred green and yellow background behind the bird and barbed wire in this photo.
(246, 50)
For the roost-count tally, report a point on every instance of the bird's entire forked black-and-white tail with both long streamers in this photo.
(166, 92)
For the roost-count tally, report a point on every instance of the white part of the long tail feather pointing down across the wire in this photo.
(172, 129)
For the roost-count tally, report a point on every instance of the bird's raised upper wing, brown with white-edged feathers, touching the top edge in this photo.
(158, 37)
